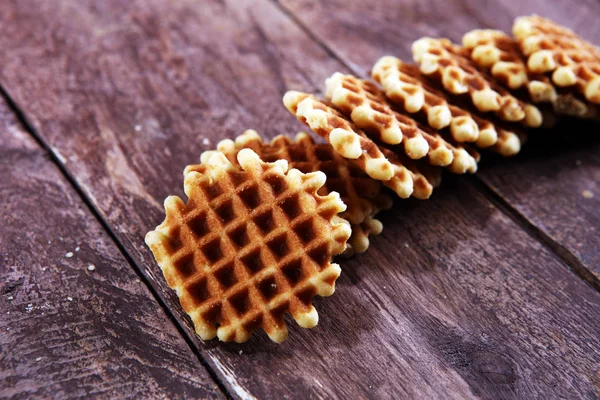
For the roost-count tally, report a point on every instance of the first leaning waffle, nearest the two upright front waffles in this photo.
(351, 142)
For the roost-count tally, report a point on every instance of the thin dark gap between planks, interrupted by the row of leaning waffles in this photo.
(562, 252)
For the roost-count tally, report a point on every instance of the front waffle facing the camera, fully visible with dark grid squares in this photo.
(252, 243)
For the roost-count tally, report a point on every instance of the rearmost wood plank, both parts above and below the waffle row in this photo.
(556, 189)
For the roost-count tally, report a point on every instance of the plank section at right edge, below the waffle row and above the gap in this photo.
(554, 184)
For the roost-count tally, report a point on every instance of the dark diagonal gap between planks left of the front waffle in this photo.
(28, 127)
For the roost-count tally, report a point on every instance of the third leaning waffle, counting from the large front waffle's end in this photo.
(402, 82)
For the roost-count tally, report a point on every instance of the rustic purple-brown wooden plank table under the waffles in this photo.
(487, 290)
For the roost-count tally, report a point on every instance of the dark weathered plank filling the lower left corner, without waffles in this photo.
(76, 321)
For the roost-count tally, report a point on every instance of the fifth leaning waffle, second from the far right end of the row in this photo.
(500, 54)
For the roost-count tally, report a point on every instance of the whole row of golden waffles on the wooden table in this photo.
(263, 220)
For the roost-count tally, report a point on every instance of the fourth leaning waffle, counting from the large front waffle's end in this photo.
(449, 64)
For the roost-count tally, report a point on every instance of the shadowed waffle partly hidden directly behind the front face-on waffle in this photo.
(363, 196)
